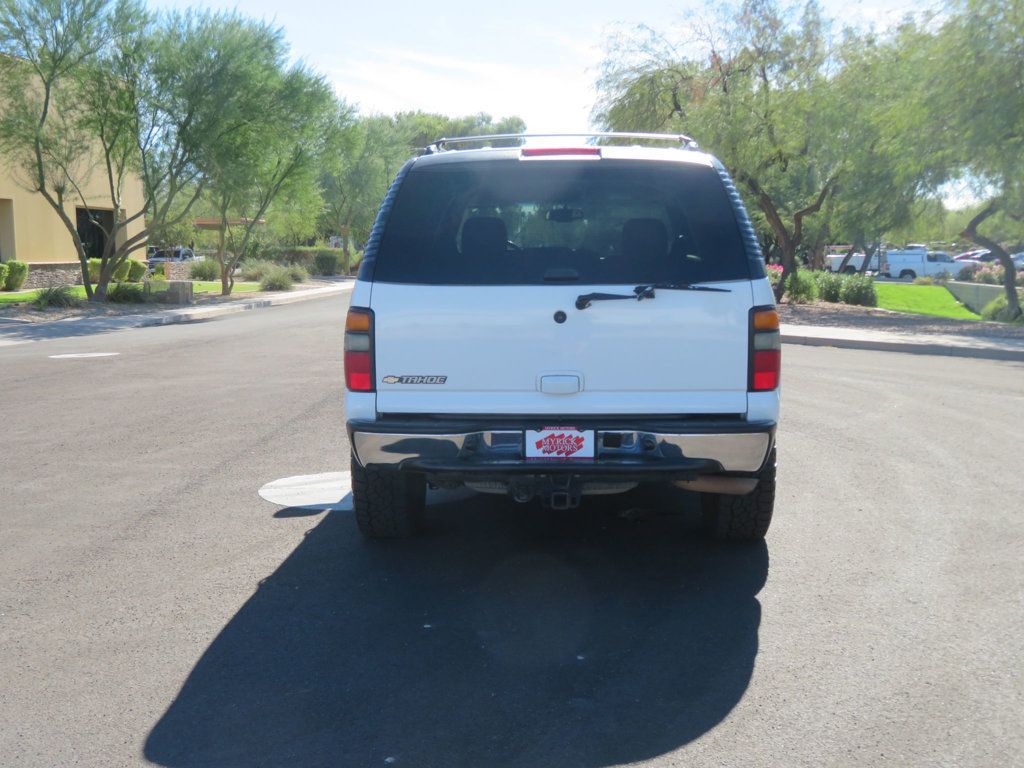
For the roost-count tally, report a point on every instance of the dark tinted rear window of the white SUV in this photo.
(531, 223)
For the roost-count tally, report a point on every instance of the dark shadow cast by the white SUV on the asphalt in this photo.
(506, 636)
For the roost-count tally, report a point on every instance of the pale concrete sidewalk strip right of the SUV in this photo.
(942, 345)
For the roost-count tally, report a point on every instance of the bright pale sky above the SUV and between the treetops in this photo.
(532, 59)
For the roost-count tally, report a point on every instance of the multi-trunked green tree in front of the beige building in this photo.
(100, 88)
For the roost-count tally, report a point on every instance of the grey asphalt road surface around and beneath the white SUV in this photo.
(154, 610)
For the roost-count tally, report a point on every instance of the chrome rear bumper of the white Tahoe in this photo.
(731, 451)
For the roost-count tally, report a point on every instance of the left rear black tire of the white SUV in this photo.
(389, 503)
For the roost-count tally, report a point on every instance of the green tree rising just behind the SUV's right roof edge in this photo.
(758, 95)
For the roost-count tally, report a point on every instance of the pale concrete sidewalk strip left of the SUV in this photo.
(23, 333)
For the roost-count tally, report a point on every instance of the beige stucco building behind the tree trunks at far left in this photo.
(32, 232)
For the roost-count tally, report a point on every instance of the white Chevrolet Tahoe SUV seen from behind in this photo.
(554, 322)
